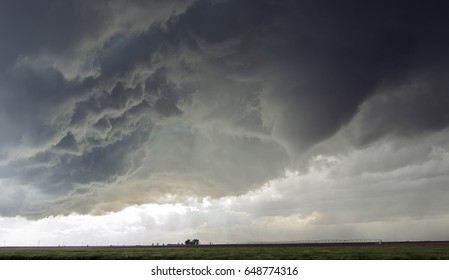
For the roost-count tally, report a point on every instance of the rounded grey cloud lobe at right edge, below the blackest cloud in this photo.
(410, 110)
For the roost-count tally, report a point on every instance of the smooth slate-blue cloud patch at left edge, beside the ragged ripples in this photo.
(27, 96)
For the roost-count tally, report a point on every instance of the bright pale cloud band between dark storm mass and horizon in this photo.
(335, 199)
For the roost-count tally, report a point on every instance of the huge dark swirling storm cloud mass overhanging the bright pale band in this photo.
(225, 93)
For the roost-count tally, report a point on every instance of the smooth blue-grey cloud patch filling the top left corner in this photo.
(29, 27)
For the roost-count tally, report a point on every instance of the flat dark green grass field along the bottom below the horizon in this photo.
(386, 251)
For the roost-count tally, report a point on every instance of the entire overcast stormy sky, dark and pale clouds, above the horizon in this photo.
(139, 122)
